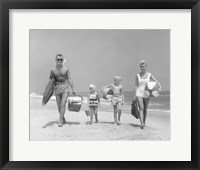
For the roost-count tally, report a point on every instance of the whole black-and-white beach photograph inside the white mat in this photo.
(99, 85)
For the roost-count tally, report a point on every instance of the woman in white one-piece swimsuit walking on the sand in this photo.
(140, 96)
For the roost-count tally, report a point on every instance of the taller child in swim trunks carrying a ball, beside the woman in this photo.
(117, 98)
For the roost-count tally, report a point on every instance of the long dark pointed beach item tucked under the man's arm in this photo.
(49, 89)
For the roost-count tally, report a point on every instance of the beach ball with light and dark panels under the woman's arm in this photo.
(152, 89)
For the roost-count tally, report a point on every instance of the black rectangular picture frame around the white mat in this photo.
(129, 4)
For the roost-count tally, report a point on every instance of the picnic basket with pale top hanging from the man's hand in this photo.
(74, 102)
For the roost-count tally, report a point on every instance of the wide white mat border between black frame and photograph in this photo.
(177, 149)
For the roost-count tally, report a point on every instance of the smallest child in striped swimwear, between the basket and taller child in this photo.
(93, 102)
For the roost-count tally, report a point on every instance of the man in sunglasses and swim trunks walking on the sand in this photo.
(63, 79)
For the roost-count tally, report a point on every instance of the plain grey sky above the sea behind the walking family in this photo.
(96, 56)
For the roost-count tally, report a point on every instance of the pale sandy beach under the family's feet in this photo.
(43, 126)
